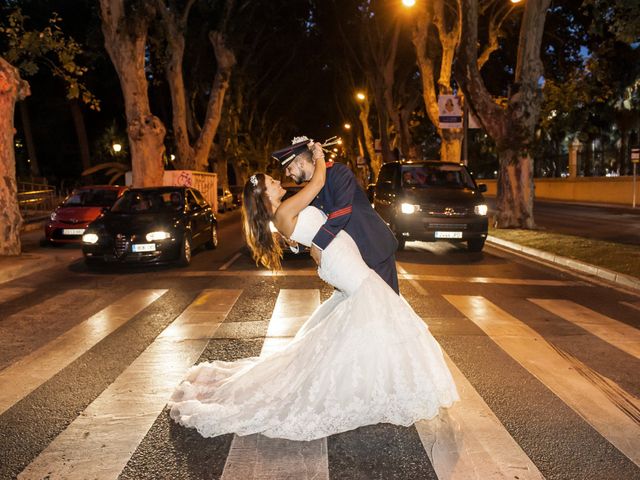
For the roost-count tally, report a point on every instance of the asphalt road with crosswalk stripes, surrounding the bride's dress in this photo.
(546, 364)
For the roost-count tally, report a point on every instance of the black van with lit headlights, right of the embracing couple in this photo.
(432, 201)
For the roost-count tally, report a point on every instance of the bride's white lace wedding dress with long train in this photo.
(363, 357)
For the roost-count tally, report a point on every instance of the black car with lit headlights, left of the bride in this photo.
(151, 225)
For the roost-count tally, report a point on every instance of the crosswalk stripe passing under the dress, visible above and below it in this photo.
(260, 457)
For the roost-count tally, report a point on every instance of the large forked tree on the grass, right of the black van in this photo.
(512, 128)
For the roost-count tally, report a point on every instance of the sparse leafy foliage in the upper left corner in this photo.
(30, 50)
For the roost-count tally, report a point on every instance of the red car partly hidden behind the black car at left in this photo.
(69, 220)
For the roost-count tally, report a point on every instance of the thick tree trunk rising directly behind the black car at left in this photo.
(125, 35)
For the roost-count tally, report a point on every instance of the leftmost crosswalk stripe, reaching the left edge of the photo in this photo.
(24, 376)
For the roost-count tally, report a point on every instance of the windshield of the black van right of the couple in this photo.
(427, 176)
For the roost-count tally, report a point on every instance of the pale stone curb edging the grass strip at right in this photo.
(569, 263)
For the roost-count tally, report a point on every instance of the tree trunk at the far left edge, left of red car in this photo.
(12, 89)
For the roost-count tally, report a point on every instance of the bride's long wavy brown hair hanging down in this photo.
(256, 217)
